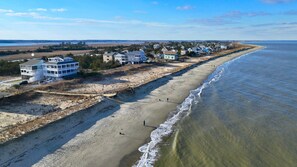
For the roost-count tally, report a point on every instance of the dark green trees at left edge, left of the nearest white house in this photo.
(9, 68)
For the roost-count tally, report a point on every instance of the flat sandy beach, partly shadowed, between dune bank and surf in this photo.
(119, 132)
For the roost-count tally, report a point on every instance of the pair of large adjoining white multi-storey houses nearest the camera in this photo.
(56, 67)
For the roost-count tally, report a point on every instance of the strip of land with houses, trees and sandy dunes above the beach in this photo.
(49, 89)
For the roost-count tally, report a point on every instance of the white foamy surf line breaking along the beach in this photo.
(150, 150)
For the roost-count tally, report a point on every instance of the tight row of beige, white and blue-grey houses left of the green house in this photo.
(133, 57)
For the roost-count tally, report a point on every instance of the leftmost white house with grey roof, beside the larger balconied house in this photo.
(32, 69)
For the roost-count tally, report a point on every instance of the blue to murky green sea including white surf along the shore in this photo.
(245, 114)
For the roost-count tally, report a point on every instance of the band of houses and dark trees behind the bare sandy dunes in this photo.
(34, 69)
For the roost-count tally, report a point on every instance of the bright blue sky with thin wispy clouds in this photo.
(148, 19)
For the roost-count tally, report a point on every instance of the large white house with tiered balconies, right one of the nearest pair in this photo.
(58, 67)
